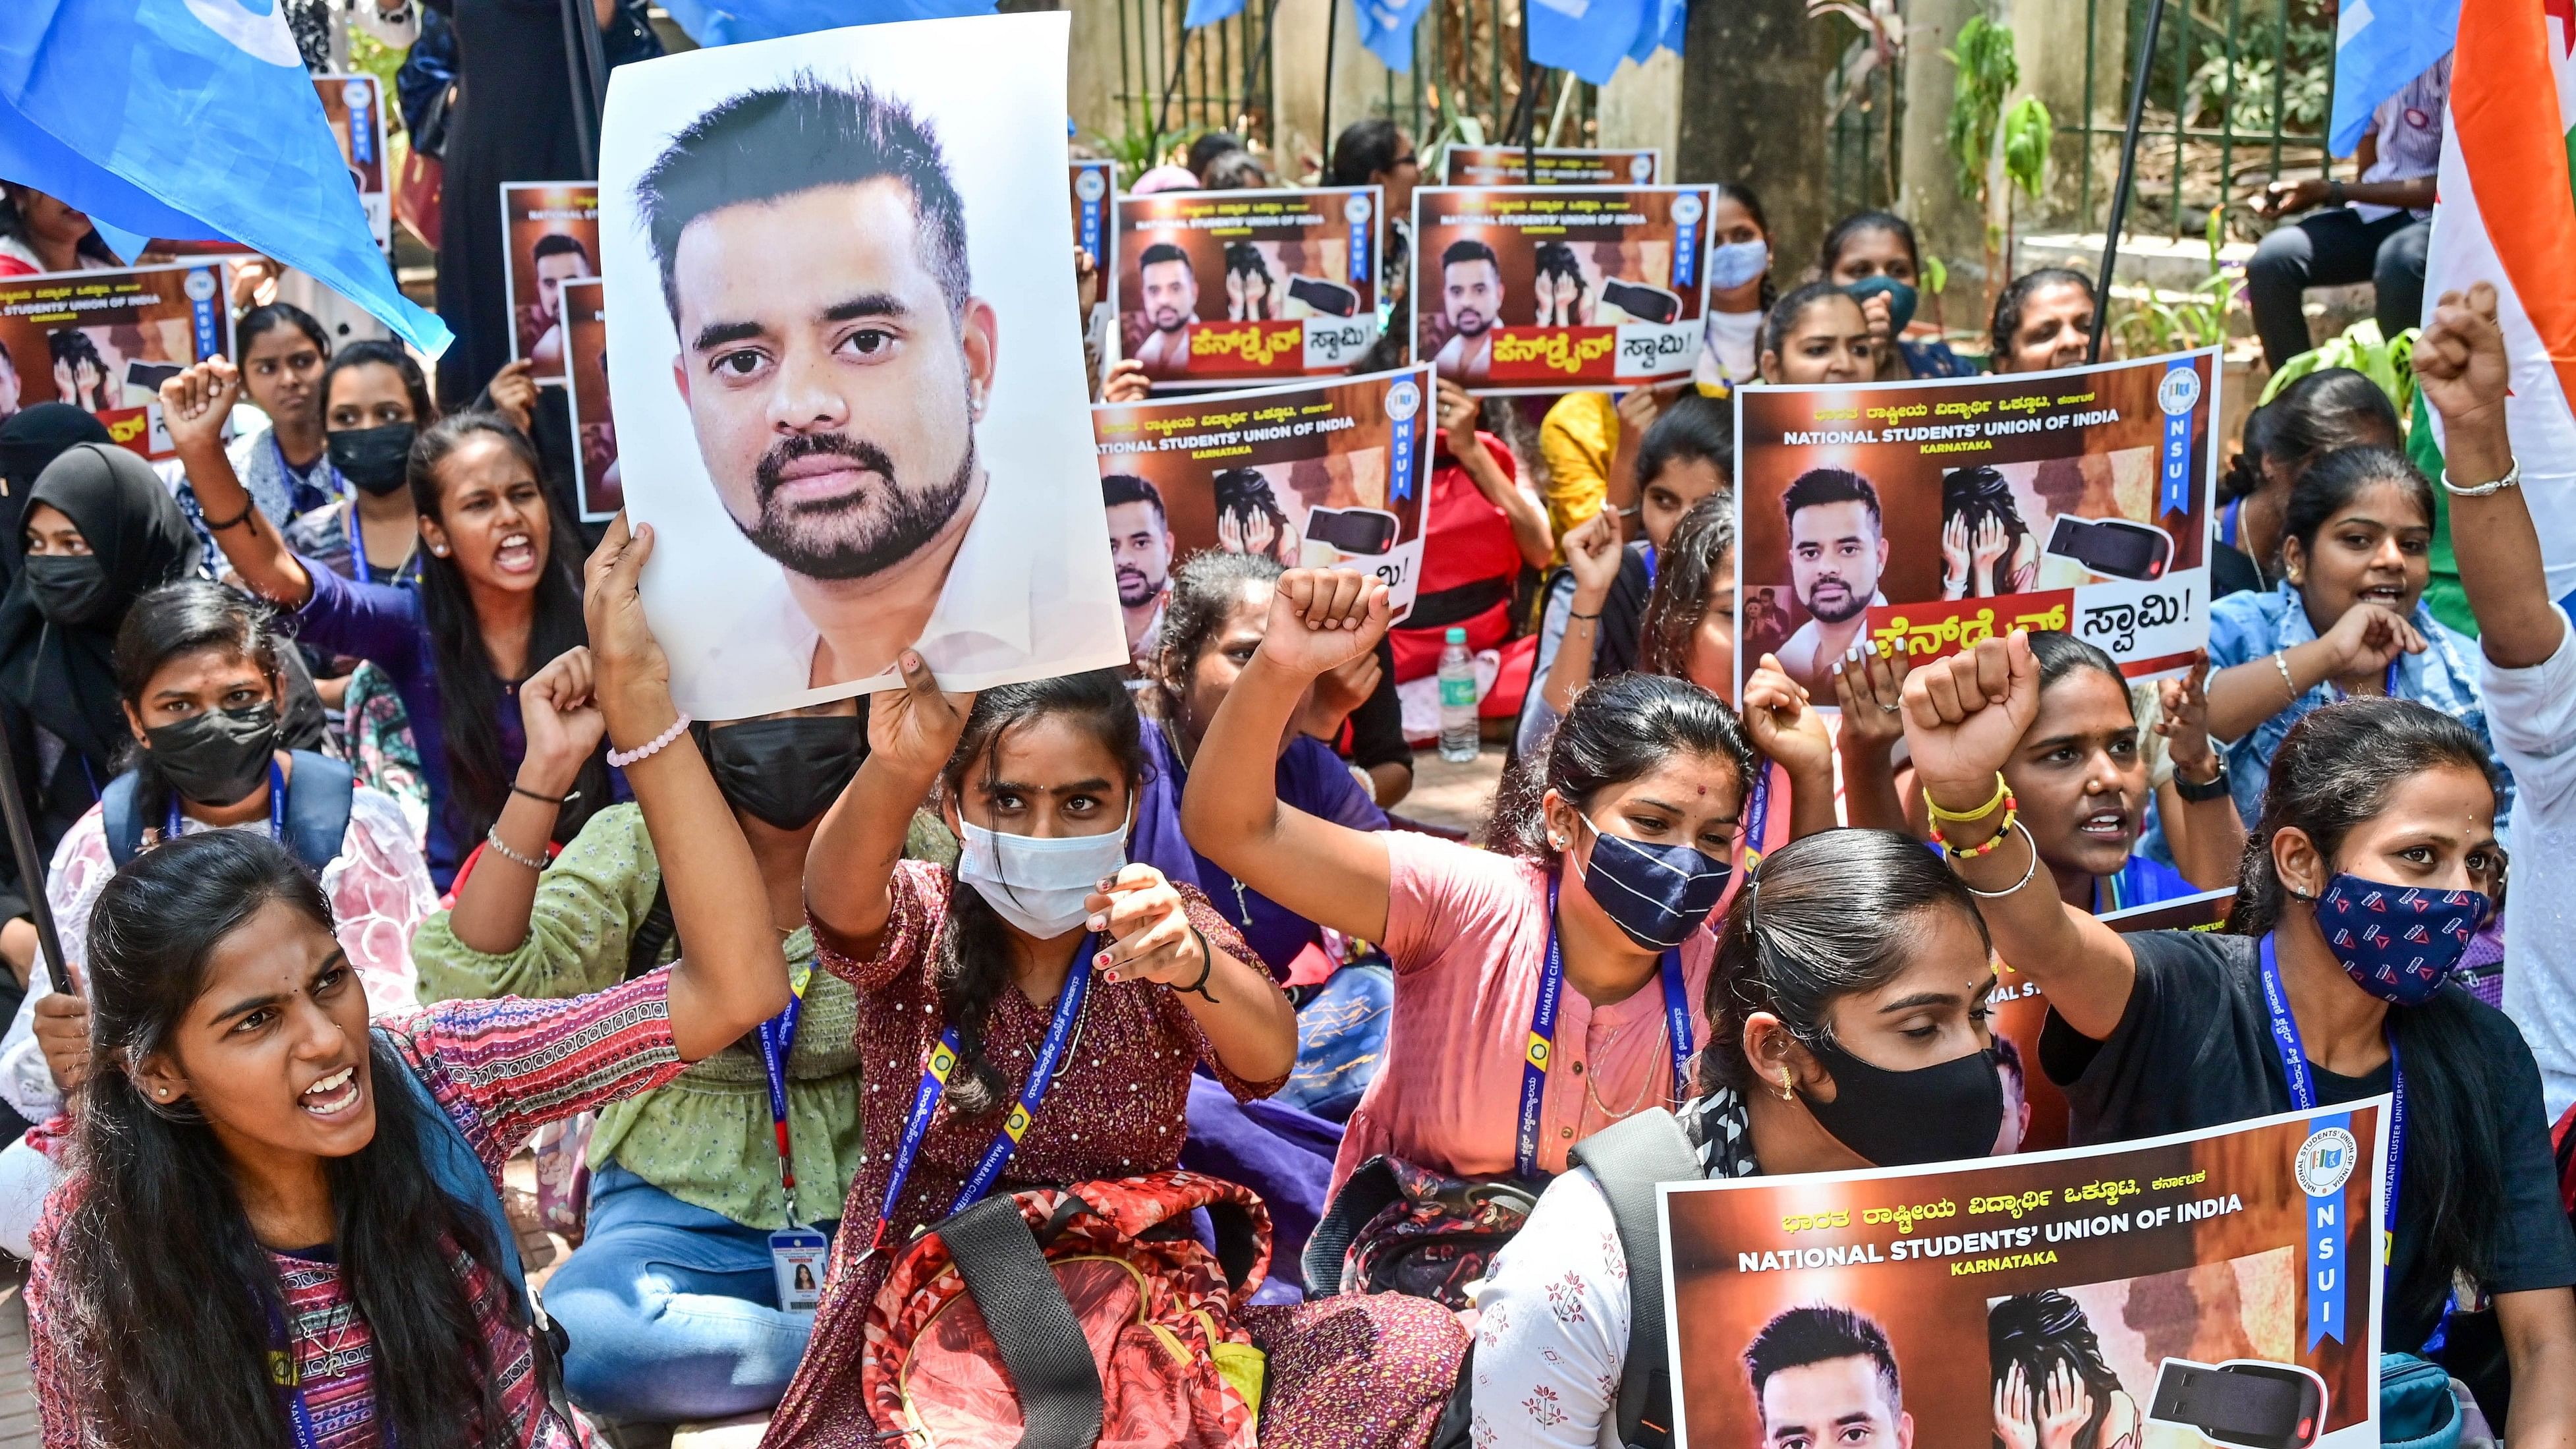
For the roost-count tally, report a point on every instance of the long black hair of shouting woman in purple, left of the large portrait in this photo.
(470, 690)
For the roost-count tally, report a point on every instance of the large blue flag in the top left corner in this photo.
(189, 120)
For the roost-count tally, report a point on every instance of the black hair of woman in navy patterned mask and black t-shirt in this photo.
(2330, 777)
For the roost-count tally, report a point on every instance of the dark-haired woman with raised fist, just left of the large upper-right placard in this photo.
(1689, 455)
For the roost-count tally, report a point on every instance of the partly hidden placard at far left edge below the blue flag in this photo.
(104, 342)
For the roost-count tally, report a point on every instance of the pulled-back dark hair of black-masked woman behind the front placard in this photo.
(1815, 922)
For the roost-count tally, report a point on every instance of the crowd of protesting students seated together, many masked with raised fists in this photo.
(380, 850)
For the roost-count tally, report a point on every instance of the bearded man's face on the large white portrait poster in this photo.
(831, 388)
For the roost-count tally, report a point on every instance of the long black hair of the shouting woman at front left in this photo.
(161, 1298)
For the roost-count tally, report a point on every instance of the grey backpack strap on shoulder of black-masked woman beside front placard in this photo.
(1629, 1159)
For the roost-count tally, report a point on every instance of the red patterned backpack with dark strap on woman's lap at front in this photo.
(1075, 1316)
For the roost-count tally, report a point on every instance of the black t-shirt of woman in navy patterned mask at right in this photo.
(2196, 1051)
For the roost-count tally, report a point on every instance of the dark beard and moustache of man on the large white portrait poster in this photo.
(887, 522)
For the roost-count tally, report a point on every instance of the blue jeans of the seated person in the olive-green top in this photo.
(671, 1311)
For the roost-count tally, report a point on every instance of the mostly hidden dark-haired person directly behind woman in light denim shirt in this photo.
(2309, 419)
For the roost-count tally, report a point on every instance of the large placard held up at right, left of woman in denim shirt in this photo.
(1946, 512)
